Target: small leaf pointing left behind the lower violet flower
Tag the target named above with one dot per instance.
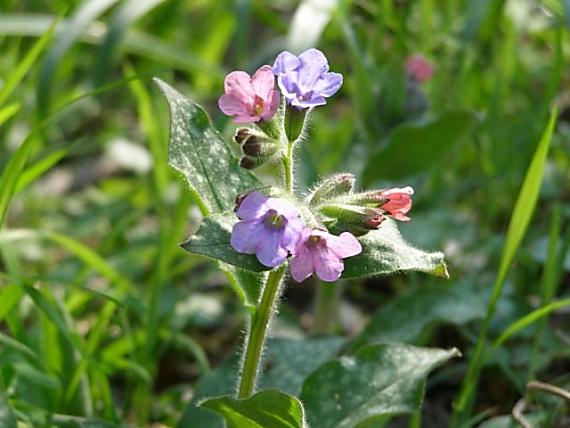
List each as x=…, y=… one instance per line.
x=213, y=240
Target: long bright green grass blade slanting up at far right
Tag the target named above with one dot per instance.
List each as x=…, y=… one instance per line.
x=520, y=218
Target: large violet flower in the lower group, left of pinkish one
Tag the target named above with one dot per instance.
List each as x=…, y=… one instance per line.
x=270, y=228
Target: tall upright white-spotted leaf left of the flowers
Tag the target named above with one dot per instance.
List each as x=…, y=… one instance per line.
x=198, y=151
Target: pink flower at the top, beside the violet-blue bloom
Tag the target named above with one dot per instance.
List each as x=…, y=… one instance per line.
x=250, y=99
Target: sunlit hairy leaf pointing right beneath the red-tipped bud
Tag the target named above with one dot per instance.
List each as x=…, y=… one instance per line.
x=384, y=251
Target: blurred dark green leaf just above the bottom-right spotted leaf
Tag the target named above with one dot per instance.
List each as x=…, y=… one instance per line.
x=405, y=317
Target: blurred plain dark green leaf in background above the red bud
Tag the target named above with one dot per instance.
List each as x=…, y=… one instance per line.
x=413, y=148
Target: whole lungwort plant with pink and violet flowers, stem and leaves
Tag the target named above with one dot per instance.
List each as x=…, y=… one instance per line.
x=261, y=234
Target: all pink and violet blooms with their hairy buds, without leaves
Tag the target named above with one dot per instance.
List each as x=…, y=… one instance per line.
x=272, y=228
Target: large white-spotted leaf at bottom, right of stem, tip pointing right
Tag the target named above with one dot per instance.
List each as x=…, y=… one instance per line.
x=378, y=380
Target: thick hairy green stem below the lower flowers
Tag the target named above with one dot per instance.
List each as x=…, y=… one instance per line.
x=258, y=331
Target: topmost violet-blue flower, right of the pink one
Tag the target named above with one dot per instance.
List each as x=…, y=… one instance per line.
x=304, y=80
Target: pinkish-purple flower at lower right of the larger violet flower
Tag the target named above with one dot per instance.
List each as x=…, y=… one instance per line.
x=322, y=253
